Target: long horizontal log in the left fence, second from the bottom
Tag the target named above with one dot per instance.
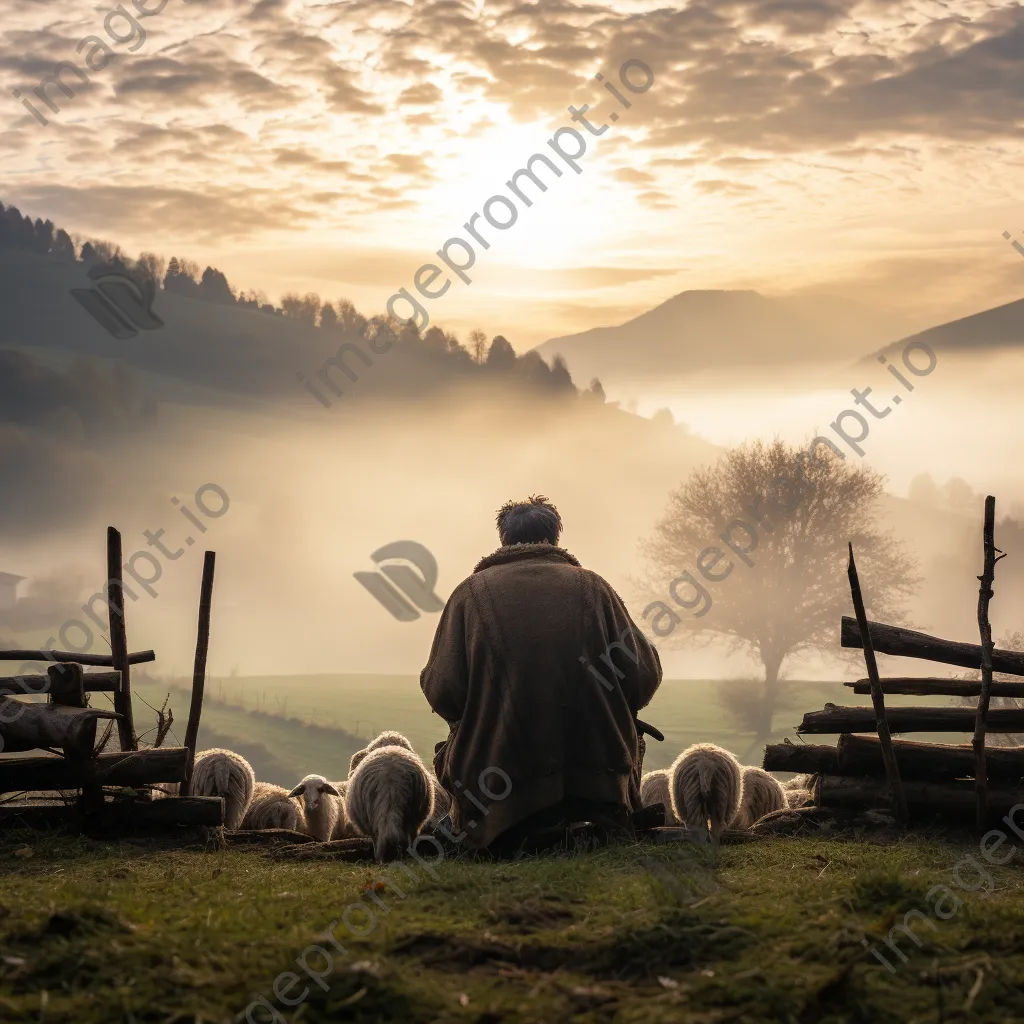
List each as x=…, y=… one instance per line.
x=134, y=769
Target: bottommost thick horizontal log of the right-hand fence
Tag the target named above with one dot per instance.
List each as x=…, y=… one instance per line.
x=953, y=800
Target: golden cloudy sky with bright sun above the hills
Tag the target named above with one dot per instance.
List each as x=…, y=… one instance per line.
x=866, y=150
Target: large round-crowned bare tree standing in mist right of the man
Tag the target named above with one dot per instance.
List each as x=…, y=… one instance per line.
x=753, y=551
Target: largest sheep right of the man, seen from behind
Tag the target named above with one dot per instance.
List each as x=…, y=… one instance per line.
x=707, y=786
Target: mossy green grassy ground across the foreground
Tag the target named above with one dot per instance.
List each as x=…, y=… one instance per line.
x=101, y=932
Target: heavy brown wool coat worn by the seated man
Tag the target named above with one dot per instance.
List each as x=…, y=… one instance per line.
x=507, y=673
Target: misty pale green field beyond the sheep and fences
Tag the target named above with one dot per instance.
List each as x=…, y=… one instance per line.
x=687, y=711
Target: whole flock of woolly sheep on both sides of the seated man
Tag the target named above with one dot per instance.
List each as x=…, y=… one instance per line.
x=391, y=795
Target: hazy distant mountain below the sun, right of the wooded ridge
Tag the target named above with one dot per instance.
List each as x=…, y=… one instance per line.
x=709, y=330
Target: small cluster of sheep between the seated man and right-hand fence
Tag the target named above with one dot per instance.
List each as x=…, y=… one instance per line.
x=708, y=790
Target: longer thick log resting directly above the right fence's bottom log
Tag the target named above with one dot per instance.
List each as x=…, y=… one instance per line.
x=927, y=762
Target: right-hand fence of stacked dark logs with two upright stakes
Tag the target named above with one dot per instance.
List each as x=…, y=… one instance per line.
x=919, y=780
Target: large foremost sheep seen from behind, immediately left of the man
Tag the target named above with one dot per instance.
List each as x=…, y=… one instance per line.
x=390, y=797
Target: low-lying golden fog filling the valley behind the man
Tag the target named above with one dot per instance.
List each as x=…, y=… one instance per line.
x=315, y=492
